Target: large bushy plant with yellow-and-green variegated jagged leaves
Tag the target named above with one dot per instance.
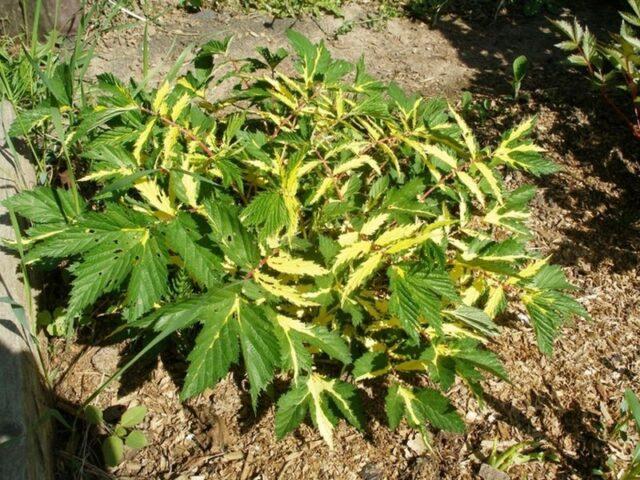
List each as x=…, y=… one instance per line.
x=322, y=226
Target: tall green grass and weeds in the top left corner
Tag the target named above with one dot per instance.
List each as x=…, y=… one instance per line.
x=50, y=75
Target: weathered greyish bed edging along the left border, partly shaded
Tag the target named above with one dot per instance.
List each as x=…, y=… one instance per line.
x=27, y=455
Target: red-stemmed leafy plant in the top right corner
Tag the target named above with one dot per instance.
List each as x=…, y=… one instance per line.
x=612, y=67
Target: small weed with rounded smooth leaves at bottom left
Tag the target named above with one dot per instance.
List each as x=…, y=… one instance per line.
x=121, y=435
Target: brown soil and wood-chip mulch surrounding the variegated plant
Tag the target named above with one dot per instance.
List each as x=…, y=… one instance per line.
x=587, y=217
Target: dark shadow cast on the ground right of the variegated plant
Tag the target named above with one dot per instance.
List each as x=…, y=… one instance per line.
x=602, y=200
